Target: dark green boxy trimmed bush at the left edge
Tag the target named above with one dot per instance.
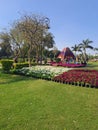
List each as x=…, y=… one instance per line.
x=6, y=64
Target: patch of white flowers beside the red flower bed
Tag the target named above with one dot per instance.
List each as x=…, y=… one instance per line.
x=44, y=72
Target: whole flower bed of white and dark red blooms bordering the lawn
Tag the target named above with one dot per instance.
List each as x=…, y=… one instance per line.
x=76, y=77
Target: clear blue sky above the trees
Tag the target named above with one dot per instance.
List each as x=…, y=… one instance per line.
x=71, y=21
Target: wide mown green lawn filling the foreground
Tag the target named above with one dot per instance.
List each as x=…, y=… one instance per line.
x=34, y=104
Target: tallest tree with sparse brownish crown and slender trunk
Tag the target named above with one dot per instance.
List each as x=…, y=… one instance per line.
x=33, y=28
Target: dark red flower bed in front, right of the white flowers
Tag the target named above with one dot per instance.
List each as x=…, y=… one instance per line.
x=79, y=77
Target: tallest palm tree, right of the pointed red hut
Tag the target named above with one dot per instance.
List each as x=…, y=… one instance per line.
x=84, y=45
